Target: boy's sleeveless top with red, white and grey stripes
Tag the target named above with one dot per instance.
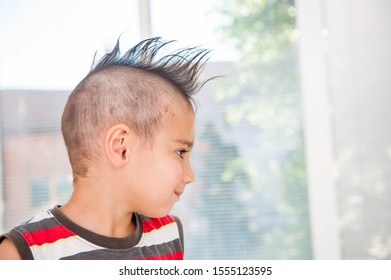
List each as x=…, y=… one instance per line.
x=51, y=235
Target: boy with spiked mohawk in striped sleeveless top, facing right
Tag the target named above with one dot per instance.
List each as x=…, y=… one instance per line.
x=128, y=128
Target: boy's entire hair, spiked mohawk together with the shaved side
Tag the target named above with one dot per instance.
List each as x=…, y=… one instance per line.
x=127, y=89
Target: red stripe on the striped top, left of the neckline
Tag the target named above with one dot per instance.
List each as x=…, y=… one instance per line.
x=47, y=235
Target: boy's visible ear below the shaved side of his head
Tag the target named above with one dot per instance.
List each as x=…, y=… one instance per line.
x=117, y=144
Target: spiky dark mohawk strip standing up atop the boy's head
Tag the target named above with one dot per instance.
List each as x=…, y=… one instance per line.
x=182, y=67
